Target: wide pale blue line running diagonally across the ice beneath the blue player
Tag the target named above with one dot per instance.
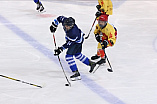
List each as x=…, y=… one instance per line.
x=100, y=91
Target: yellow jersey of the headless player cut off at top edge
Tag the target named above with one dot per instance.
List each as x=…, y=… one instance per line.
x=106, y=6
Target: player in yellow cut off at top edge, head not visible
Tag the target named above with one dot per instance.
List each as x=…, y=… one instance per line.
x=105, y=7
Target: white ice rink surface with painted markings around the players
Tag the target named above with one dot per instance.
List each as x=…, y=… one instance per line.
x=26, y=53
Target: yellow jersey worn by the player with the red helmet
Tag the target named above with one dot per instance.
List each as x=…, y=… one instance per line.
x=108, y=33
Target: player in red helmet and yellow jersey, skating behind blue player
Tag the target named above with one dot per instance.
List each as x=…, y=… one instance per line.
x=106, y=36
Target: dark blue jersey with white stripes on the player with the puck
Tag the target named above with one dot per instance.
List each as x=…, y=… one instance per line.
x=73, y=36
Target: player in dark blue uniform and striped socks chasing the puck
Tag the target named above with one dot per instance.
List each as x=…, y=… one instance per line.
x=74, y=40
